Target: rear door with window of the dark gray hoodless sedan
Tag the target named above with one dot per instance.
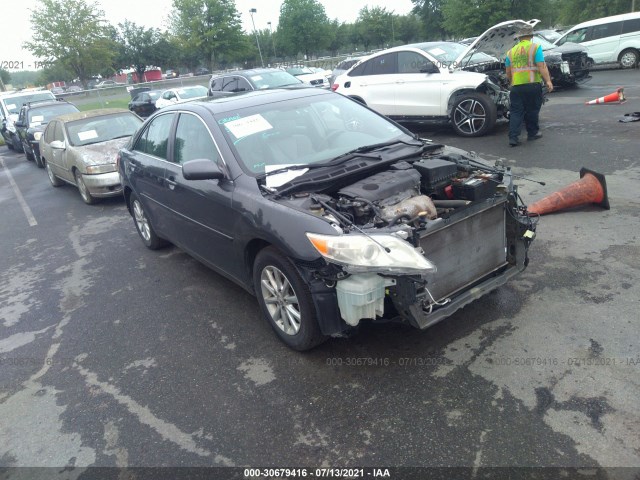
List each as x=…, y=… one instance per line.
x=147, y=162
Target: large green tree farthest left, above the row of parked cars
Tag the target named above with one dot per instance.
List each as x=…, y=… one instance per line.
x=72, y=33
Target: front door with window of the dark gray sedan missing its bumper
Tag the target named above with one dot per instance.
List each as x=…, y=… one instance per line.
x=202, y=218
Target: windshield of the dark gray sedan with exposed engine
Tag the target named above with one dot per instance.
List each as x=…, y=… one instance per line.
x=304, y=131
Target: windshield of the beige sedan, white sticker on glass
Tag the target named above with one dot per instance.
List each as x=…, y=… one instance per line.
x=102, y=129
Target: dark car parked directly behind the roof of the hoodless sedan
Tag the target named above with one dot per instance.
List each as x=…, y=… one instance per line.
x=254, y=79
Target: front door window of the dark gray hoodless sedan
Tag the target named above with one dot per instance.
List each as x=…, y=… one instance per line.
x=193, y=141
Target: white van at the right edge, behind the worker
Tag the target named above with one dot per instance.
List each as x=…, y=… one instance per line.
x=609, y=39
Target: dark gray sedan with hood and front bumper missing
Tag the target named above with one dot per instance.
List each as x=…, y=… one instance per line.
x=325, y=210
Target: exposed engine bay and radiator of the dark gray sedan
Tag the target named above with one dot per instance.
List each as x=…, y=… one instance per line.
x=454, y=210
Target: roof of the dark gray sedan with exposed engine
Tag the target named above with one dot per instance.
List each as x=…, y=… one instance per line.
x=247, y=99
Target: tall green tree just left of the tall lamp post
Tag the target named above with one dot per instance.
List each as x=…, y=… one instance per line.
x=209, y=28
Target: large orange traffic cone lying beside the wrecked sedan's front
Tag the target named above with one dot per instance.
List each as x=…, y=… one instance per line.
x=591, y=188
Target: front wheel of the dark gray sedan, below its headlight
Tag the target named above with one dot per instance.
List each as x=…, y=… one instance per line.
x=285, y=300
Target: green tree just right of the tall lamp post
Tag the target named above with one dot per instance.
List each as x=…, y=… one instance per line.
x=303, y=27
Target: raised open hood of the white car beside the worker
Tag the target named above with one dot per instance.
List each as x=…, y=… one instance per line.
x=495, y=42
